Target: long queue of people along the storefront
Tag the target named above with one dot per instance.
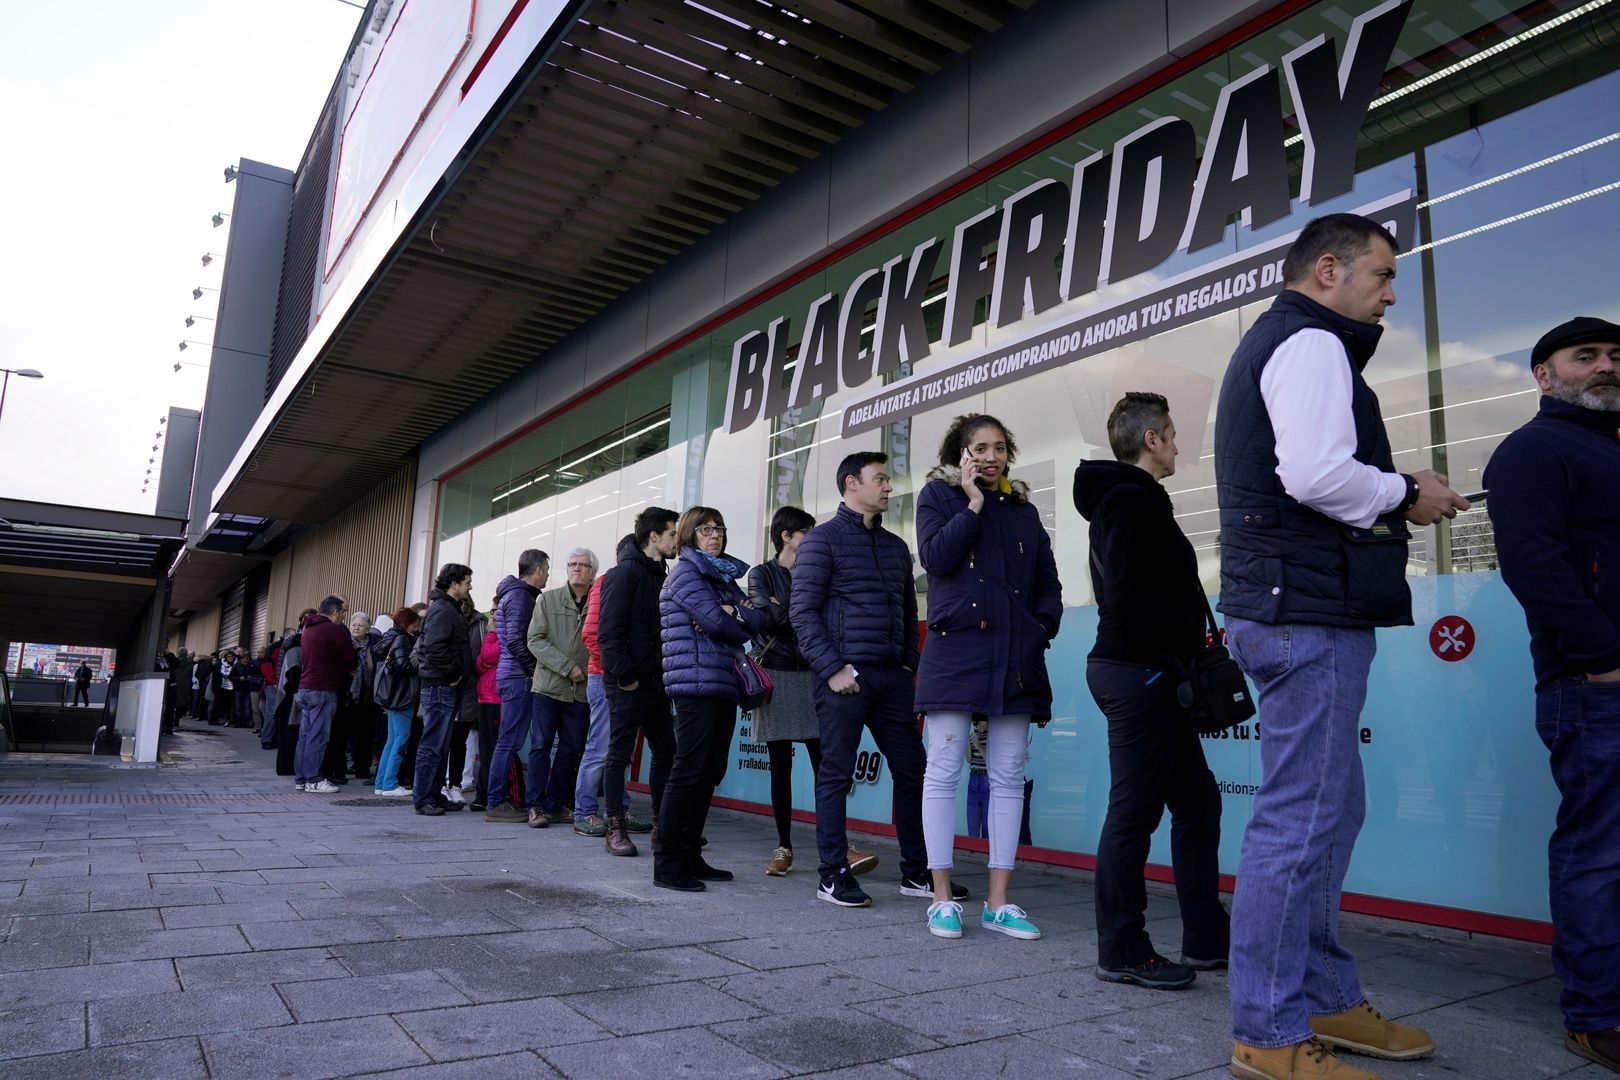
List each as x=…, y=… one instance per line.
x=1315, y=535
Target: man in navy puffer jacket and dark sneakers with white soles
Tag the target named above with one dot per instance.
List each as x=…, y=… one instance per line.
x=855, y=610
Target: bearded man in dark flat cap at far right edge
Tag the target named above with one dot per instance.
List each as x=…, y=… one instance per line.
x=1556, y=509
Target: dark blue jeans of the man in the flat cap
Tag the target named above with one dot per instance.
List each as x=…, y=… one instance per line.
x=1580, y=723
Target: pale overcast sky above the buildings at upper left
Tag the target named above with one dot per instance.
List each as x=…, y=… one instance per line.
x=117, y=122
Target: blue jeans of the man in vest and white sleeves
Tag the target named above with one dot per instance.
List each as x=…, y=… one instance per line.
x=1287, y=961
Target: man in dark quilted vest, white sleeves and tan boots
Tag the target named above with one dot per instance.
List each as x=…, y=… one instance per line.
x=1313, y=559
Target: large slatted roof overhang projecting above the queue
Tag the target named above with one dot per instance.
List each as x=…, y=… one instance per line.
x=675, y=117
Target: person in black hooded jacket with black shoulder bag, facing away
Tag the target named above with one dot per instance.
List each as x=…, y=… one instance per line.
x=1149, y=619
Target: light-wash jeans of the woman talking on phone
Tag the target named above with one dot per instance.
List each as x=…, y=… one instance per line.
x=1007, y=750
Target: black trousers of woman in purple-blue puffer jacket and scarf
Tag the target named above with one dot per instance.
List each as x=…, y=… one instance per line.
x=704, y=731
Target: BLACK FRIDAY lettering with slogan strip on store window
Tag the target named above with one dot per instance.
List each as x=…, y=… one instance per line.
x=1127, y=211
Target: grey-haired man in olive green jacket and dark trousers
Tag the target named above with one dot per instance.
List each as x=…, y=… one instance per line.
x=561, y=713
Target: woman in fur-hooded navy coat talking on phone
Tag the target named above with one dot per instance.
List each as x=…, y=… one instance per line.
x=994, y=610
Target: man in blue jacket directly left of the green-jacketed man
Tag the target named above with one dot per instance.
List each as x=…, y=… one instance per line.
x=514, y=608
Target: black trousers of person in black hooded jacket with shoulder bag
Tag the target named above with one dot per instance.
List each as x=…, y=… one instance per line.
x=1156, y=760
